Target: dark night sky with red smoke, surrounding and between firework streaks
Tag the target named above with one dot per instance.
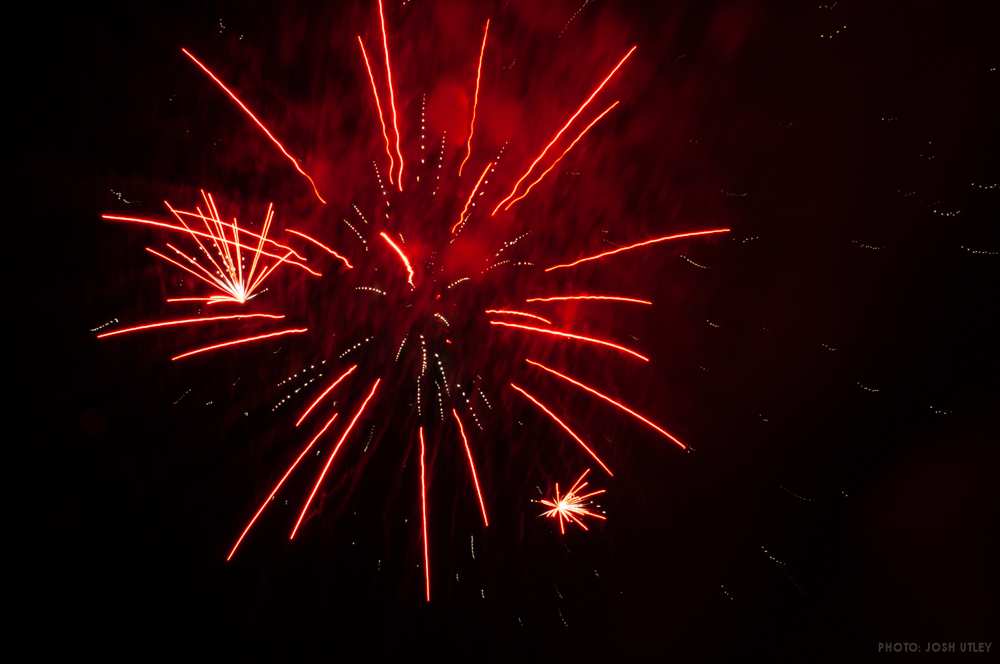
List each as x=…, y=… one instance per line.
x=832, y=360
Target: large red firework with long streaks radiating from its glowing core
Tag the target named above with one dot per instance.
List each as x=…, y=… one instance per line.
x=414, y=291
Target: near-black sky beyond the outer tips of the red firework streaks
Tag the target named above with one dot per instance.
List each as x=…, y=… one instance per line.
x=843, y=378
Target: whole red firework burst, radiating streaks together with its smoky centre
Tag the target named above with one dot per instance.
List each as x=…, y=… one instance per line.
x=427, y=307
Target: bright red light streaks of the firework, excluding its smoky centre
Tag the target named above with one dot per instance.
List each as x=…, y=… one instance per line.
x=233, y=263
